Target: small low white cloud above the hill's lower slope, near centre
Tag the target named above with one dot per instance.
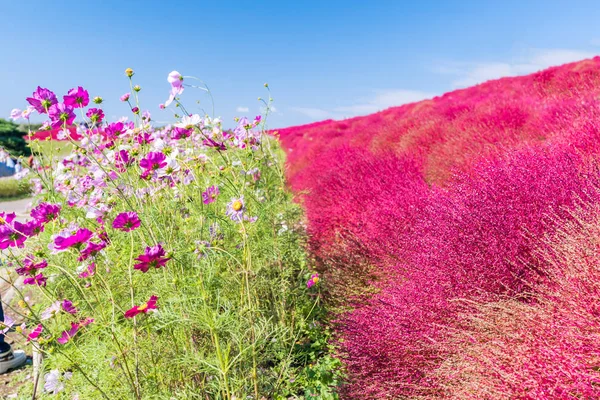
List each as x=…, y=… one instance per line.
x=379, y=101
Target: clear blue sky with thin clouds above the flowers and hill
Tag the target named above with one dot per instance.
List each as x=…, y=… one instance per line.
x=322, y=59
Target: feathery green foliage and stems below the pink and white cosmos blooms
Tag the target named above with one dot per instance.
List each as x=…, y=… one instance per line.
x=237, y=321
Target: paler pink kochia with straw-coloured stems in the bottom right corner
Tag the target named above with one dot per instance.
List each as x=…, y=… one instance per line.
x=547, y=349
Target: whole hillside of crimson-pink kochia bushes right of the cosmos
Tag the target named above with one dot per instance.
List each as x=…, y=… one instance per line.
x=458, y=238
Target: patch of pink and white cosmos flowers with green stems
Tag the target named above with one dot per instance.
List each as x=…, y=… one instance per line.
x=163, y=263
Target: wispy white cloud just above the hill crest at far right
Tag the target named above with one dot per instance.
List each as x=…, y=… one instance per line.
x=533, y=60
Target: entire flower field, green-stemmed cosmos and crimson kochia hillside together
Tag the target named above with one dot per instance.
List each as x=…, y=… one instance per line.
x=445, y=249
